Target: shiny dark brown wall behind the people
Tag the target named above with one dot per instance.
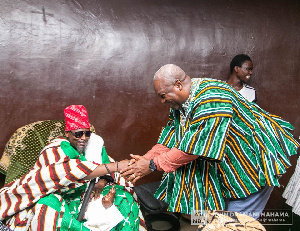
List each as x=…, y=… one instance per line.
x=103, y=54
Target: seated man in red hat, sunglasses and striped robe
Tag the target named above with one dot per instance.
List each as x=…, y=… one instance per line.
x=48, y=197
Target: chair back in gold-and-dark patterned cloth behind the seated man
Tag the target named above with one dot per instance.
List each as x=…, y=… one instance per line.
x=24, y=147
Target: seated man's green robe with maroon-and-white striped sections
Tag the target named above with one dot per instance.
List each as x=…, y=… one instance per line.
x=48, y=196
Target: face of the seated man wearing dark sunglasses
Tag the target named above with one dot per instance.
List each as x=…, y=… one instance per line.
x=77, y=141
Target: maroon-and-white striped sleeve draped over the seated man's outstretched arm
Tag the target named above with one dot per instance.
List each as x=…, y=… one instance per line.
x=54, y=171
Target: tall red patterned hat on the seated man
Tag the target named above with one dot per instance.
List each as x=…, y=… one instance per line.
x=76, y=117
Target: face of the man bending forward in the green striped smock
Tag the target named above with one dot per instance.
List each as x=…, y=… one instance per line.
x=172, y=95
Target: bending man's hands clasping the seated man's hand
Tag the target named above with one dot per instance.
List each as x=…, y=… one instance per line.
x=137, y=169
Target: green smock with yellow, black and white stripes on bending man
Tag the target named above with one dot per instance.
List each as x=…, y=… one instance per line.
x=241, y=148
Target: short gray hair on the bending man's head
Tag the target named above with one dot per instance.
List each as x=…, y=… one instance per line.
x=169, y=73
